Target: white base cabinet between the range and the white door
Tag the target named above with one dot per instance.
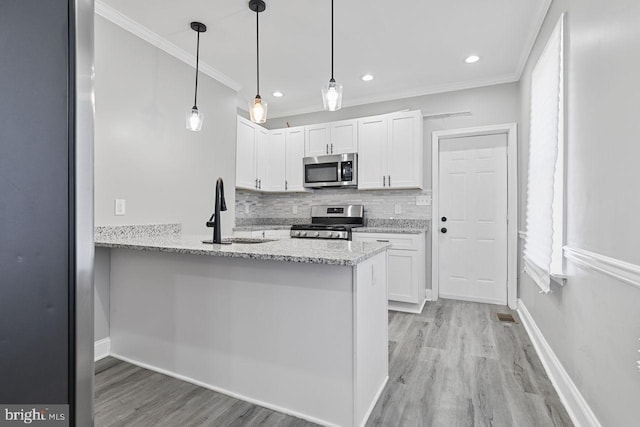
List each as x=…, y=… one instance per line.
x=406, y=268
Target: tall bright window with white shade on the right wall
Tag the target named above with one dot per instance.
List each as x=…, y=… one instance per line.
x=545, y=189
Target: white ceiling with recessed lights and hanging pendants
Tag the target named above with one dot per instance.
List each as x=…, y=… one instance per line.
x=412, y=47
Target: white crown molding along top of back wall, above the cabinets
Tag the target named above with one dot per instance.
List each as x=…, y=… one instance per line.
x=409, y=93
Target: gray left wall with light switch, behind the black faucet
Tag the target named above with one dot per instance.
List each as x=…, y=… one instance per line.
x=143, y=152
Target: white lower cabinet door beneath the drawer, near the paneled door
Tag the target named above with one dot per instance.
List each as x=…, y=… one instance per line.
x=404, y=275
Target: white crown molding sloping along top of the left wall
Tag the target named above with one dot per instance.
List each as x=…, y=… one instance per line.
x=137, y=29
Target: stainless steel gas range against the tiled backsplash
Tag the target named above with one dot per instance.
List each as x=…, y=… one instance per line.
x=330, y=222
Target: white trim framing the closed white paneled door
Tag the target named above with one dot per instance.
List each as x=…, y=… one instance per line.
x=511, y=130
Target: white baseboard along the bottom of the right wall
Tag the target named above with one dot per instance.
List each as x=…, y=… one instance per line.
x=578, y=409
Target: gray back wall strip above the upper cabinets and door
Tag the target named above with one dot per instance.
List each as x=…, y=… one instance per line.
x=488, y=105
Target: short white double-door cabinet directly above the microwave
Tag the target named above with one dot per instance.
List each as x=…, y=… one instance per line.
x=331, y=138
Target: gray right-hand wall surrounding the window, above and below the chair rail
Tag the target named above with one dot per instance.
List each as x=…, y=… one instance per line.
x=593, y=322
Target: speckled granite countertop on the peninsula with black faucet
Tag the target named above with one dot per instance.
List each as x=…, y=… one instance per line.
x=290, y=250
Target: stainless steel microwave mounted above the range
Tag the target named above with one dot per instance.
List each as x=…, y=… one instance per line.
x=339, y=170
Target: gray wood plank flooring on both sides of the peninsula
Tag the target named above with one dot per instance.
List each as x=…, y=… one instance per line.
x=454, y=364
